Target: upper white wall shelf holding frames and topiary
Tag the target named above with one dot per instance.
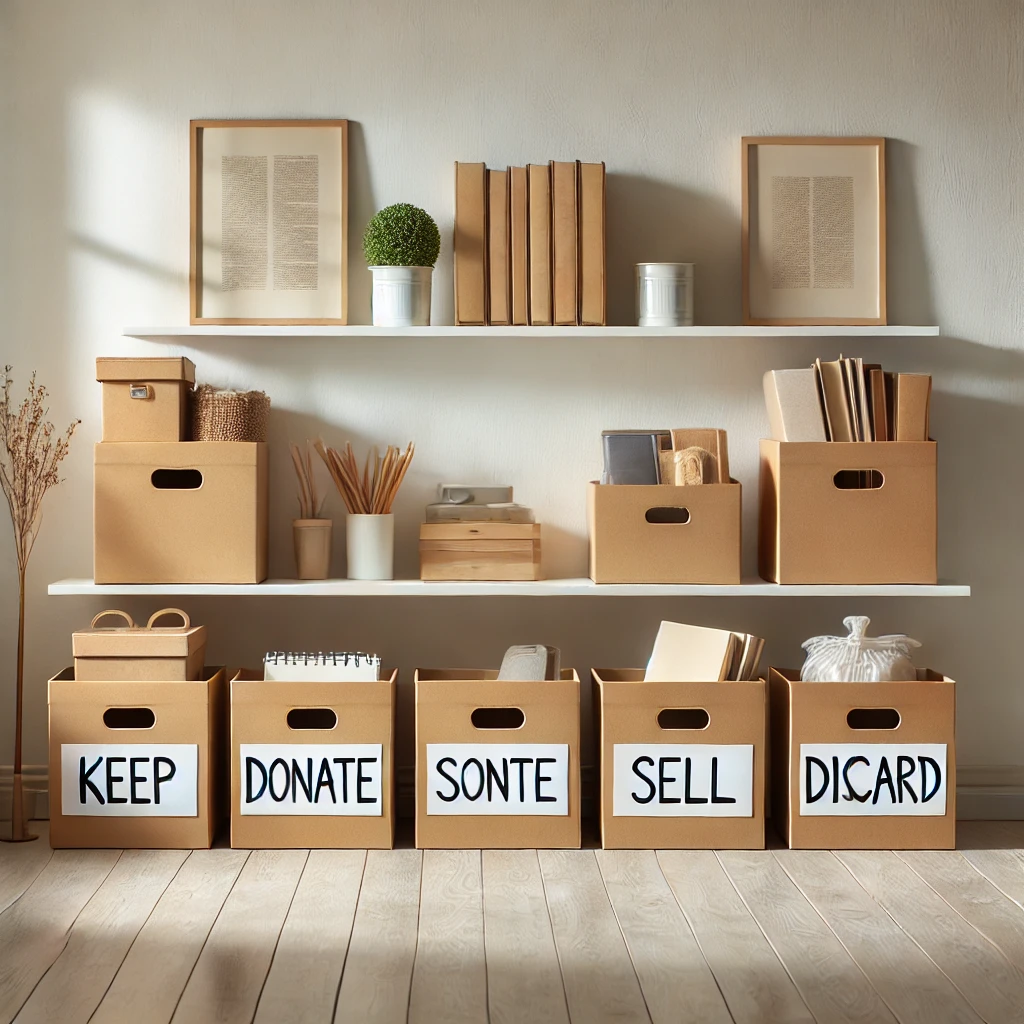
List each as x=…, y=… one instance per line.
x=581, y=333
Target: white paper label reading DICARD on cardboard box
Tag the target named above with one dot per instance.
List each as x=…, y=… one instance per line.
x=870, y=780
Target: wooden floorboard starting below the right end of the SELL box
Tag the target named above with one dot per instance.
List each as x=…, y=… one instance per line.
x=835, y=990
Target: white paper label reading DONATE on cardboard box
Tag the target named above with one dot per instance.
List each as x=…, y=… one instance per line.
x=312, y=779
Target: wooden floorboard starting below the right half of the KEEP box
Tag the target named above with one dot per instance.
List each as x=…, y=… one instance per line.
x=73, y=987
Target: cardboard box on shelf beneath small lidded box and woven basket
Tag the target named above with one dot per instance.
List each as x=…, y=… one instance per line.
x=193, y=513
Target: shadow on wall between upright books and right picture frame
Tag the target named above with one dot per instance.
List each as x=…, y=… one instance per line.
x=652, y=222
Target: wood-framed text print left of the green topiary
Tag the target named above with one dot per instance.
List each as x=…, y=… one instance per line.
x=270, y=223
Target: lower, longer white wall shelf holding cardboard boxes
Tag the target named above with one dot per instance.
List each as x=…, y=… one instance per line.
x=542, y=588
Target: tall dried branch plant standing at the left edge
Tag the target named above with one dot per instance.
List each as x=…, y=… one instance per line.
x=31, y=453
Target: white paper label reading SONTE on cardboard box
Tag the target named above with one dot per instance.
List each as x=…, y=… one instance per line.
x=498, y=779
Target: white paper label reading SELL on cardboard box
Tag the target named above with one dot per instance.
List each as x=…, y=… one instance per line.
x=684, y=781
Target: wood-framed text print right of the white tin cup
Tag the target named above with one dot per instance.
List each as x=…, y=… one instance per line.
x=815, y=232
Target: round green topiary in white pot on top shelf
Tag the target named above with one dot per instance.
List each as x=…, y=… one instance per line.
x=401, y=245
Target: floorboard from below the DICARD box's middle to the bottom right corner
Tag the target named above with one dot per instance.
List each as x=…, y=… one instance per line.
x=990, y=983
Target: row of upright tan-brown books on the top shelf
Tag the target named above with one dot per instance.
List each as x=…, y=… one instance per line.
x=530, y=245
